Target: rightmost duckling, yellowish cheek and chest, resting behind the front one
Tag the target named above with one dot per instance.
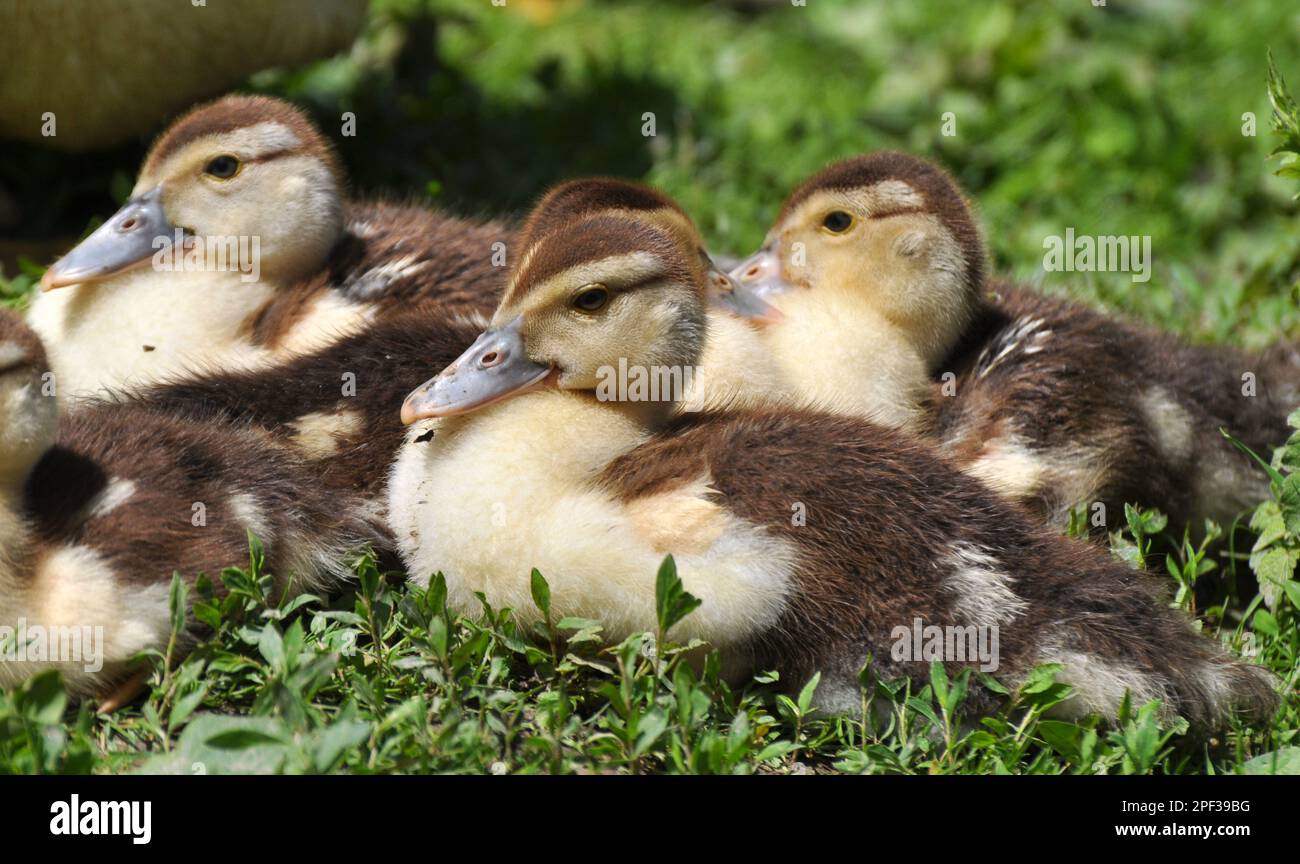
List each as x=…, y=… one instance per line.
x=878, y=260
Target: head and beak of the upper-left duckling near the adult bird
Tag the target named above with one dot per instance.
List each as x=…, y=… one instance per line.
x=246, y=168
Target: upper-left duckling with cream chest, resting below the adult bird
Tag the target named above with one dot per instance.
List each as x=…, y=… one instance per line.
x=239, y=250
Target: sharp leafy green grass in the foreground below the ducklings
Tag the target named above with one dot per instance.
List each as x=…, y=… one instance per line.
x=387, y=680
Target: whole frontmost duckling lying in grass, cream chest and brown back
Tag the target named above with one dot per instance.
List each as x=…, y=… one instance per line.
x=812, y=539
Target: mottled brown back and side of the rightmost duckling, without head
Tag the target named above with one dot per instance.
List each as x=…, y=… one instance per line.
x=1056, y=406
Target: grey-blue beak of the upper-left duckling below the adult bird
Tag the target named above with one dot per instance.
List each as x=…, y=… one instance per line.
x=128, y=240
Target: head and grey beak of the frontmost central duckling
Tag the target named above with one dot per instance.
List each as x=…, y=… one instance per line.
x=590, y=297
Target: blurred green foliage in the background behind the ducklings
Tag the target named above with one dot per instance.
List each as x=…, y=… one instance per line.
x=1126, y=119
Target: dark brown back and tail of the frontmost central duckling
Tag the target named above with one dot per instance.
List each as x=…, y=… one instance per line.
x=886, y=539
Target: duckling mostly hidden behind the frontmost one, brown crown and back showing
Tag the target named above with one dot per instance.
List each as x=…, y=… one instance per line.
x=344, y=407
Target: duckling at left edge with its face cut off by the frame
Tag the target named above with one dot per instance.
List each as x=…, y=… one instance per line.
x=102, y=506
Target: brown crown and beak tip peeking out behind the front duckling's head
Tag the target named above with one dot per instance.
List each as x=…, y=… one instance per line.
x=617, y=197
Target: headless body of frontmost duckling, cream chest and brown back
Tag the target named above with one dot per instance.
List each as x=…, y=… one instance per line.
x=813, y=541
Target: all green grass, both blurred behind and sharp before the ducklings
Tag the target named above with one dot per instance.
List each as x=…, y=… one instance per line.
x=1119, y=120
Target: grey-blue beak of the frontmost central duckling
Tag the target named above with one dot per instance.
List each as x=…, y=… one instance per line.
x=496, y=367
